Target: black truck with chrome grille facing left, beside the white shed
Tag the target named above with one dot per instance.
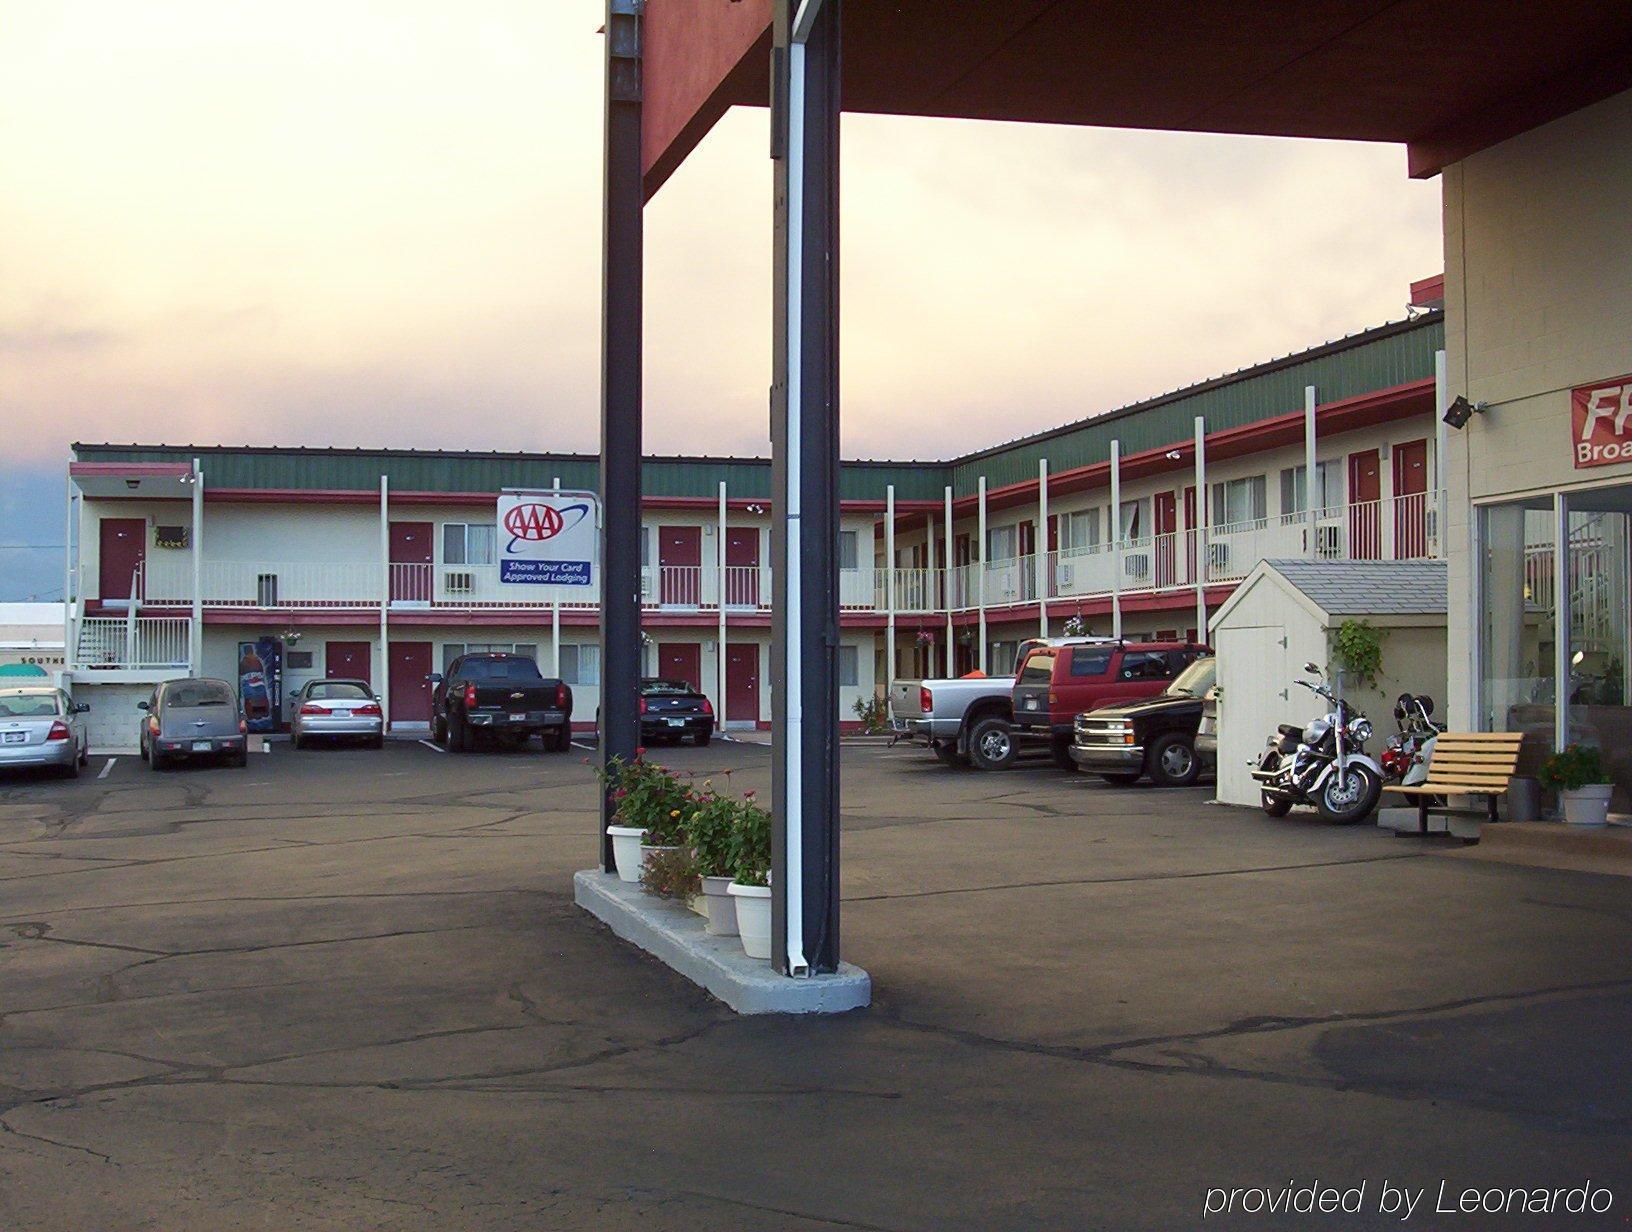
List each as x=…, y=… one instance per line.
x=1151, y=737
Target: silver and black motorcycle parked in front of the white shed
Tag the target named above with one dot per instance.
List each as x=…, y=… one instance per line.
x=1323, y=763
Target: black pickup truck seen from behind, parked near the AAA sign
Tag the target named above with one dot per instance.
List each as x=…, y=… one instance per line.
x=500, y=696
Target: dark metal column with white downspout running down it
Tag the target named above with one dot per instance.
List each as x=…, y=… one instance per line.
x=805, y=489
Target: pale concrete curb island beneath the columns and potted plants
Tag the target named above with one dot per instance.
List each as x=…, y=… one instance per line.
x=717, y=964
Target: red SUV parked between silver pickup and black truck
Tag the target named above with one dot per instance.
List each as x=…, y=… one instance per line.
x=1055, y=685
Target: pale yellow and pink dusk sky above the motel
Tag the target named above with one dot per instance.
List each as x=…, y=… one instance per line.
x=378, y=224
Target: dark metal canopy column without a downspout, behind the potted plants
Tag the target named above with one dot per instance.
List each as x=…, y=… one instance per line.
x=621, y=378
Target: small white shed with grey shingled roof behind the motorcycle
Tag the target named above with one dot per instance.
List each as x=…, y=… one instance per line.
x=1284, y=616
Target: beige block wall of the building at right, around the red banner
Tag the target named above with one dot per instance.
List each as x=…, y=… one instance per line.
x=1538, y=301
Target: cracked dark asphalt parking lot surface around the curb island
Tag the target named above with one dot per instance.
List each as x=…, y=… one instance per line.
x=350, y=990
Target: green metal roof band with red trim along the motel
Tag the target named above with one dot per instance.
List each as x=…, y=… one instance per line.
x=1377, y=360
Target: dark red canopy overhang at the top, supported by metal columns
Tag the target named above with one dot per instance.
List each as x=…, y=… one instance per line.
x=1444, y=78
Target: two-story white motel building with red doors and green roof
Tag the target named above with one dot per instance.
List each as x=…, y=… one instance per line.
x=383, y=564
